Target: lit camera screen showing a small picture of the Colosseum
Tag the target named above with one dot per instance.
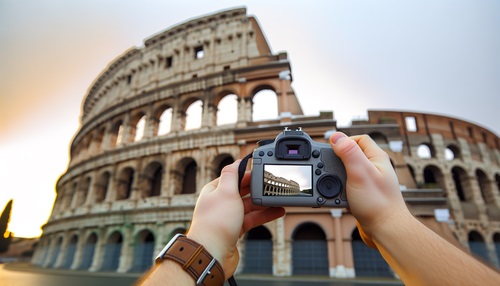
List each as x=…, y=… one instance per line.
x=287, y=180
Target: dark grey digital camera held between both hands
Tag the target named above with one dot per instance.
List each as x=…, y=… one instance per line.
x=294, y=170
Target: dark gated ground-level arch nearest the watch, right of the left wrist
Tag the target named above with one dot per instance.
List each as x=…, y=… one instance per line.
x=258, y=251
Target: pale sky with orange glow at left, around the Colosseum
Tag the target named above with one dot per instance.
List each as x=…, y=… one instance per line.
x=438, y=57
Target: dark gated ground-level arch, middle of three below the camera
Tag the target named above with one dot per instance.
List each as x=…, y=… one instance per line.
x=309, y=250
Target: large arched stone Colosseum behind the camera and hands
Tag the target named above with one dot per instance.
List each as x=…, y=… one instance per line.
x=152, y=134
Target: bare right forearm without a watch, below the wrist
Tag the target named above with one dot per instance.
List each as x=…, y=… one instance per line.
x=421, y=257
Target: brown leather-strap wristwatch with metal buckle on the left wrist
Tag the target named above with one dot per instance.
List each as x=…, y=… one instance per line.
x=194, y=259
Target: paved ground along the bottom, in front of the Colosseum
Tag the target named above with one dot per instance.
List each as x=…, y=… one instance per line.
x=27, y=275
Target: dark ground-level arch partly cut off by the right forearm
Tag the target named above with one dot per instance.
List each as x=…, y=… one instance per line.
x=368, y=262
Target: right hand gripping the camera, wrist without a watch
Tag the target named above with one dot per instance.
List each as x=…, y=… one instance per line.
x=372, y=185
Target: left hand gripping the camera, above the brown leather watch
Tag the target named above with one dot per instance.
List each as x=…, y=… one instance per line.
x=222, y=216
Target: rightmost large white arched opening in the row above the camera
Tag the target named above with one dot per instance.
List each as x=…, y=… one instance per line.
x=265, y=105
